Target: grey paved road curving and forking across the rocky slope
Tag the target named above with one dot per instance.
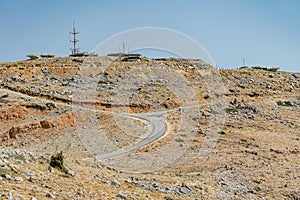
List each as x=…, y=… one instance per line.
x=158, y=124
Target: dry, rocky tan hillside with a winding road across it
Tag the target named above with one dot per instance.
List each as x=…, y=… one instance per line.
x=226, y=134
